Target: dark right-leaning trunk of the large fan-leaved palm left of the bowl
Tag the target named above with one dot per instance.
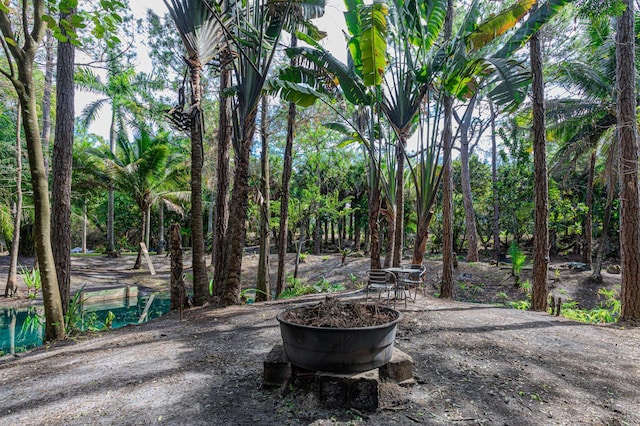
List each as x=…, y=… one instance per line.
x=238, y=214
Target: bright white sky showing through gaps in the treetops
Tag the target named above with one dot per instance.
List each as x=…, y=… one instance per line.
x=332, y=23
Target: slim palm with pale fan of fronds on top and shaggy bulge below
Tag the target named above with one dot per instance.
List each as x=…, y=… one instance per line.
x=203, y=37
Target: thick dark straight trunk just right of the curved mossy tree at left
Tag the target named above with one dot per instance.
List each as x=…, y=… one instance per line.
x=62, y=165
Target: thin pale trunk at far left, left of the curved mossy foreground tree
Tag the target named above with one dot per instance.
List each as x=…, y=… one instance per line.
x=12, y=275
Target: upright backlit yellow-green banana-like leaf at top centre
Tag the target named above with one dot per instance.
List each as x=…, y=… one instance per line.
x=373, y=42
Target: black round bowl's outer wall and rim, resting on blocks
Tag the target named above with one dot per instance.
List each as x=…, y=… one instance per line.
x=338, y=350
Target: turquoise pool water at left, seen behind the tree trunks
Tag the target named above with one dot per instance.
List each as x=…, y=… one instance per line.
x=23, y=329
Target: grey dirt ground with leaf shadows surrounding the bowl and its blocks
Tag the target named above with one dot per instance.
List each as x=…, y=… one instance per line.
x=474, y=364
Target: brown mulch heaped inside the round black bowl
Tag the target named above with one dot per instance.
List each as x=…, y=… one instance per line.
x=333, y=313
